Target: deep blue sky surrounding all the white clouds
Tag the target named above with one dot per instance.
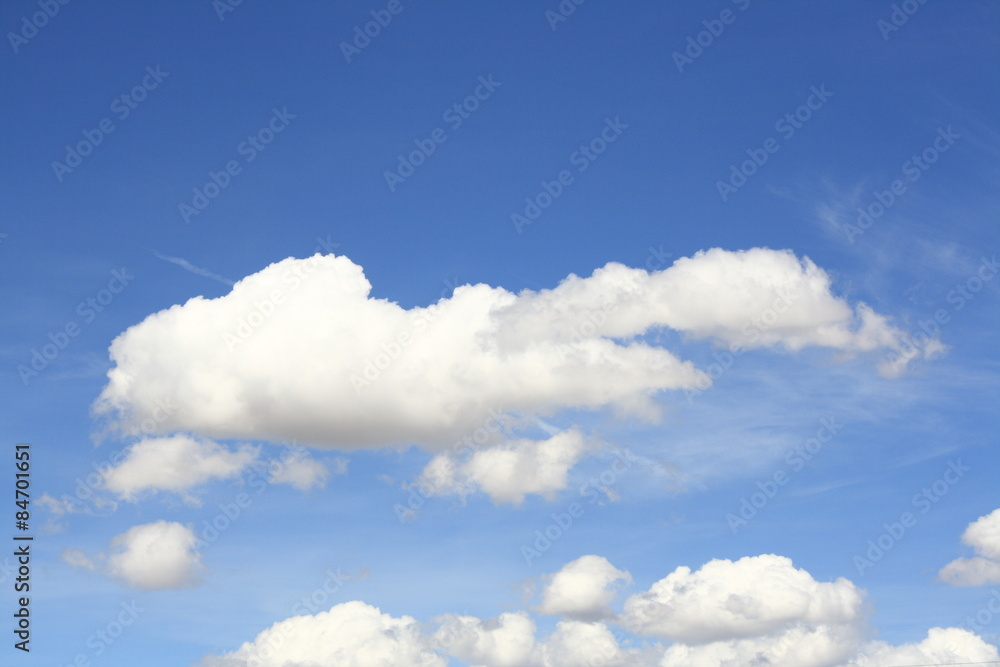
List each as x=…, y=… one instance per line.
x=652, y=193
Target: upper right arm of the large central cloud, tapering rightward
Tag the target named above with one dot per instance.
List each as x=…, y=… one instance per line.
x=756, y=298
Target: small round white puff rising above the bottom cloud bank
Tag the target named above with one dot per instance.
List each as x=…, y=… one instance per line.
x=583, y=589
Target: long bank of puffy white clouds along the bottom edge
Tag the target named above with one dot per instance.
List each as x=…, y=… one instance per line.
x=808, y=624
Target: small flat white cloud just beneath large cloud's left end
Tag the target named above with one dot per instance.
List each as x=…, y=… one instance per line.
x=176, y=463
